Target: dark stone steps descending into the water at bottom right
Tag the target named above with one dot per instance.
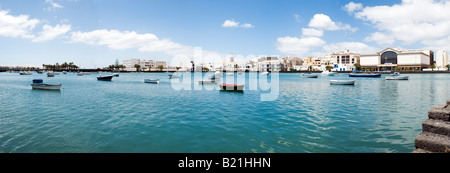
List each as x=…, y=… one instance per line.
x=435, y=136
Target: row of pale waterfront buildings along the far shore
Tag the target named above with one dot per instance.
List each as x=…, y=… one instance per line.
x=389, y=59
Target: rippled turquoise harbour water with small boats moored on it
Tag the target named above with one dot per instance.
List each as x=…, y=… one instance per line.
x=128, y=115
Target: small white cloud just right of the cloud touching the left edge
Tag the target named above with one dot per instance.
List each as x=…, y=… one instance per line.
x=49, y=32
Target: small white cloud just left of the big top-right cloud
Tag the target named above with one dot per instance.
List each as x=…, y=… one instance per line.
x=324, y=22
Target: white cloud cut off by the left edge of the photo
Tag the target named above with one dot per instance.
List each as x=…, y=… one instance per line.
x=16, y=26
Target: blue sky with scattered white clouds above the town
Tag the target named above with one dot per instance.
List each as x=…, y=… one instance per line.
x=94, y=33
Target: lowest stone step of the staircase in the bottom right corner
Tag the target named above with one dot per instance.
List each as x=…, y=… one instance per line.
x=433, y=142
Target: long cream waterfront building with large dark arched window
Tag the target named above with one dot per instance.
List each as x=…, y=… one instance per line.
x=391, y=59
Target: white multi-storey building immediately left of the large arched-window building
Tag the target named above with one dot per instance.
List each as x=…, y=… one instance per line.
x=344, y=60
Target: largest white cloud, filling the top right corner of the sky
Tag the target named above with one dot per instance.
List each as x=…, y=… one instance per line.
x=412, y=21
